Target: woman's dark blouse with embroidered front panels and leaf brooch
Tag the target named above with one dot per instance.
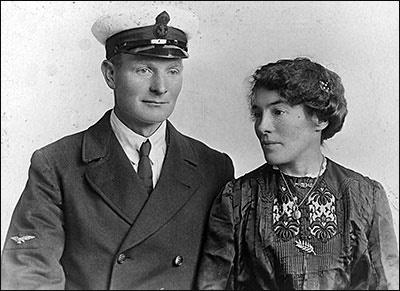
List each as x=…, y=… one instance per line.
x=344, y=238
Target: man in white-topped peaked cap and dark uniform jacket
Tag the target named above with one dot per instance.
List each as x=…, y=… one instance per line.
x=95, y=214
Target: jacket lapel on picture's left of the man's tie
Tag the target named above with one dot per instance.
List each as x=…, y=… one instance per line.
x=110, y=172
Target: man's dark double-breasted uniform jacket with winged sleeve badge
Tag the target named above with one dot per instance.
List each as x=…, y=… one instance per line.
x=84, y=221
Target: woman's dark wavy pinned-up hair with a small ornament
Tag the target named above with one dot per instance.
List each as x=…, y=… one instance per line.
x=302, y=81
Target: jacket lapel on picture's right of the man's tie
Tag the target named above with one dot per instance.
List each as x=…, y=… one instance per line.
x=178, y=181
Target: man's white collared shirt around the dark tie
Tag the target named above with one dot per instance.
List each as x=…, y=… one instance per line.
x=131, y=142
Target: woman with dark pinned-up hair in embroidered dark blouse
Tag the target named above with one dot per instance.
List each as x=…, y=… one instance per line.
x=300, y=221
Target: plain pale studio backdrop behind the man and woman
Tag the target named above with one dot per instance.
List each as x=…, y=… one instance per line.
x=51, y=83
